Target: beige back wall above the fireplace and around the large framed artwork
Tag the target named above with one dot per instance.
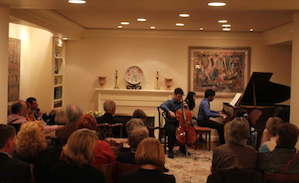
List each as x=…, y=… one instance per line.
x=101, y=52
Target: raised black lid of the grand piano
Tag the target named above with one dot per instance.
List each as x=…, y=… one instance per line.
x=267, y=93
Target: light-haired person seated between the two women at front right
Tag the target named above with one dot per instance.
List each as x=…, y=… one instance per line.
x=271, y=126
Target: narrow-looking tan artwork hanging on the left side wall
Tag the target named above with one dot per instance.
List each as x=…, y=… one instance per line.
x=14, y=56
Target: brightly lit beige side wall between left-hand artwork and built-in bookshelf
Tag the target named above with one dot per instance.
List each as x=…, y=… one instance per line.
x=36, y=63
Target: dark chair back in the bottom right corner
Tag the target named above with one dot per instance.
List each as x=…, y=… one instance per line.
x=280, y=177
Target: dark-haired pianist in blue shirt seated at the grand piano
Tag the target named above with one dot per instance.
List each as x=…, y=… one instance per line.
x=204, y=113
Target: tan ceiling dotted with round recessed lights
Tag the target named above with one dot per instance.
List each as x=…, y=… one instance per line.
x=261, y=15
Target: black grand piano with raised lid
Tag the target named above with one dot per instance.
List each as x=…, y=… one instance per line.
x=260, y=94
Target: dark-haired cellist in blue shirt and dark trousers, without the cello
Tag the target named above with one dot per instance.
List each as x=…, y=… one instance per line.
x=170, y=107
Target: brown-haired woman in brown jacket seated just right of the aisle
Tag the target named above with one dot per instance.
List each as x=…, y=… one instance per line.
x=236, y=154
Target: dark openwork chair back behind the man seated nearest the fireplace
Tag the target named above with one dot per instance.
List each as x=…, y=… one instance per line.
x=105, y=130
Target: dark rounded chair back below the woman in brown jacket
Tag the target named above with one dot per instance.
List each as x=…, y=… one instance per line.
x=235, y=176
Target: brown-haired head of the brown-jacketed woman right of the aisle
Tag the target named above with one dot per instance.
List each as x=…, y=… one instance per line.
x=238, y=131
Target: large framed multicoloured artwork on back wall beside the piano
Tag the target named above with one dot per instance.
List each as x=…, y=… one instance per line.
x=225, y=70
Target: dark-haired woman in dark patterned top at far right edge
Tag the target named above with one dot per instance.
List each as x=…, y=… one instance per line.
x=284, y=152
